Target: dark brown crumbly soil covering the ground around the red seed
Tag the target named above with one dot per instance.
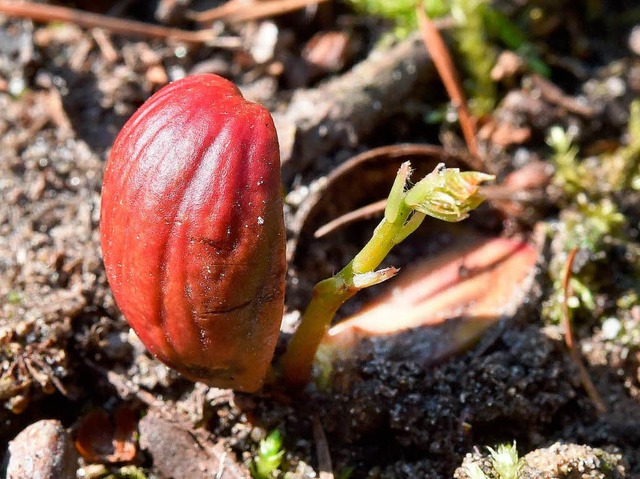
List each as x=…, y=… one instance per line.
x=65, y=349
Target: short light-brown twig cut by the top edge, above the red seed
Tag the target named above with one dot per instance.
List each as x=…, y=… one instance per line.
x=242, y=12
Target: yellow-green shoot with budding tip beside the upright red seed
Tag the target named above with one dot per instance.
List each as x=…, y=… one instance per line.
x=446, y=194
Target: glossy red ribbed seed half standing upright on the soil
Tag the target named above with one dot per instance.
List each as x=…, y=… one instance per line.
x=192, y=231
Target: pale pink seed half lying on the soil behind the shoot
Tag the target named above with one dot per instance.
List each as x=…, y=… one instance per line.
x=443, y=306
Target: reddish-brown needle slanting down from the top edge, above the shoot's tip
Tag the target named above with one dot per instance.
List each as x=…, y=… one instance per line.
x=444, y=64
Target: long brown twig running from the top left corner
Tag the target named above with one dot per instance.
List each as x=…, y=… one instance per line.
x=51, y=13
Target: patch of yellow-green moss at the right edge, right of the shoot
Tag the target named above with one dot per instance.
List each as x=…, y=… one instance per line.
x=592, y=220
